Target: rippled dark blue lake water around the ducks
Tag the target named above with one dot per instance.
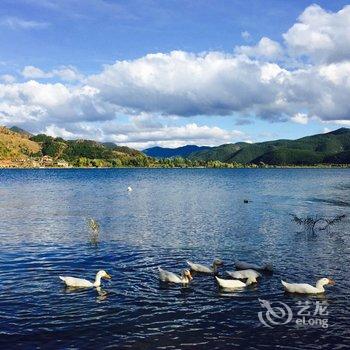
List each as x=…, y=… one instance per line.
x=170, y=216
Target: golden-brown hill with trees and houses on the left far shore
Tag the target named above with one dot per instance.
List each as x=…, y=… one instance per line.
x=20, y=148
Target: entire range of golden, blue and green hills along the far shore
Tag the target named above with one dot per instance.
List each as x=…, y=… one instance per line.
x=20, y=148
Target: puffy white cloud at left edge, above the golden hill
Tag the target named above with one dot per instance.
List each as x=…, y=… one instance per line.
x=47, y=103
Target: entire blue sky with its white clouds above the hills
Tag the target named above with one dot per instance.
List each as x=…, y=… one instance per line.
x=85, y=69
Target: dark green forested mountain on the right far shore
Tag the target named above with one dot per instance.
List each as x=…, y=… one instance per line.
x=326, y=148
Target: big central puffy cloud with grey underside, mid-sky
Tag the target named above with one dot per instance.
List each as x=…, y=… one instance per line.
x=185, y=84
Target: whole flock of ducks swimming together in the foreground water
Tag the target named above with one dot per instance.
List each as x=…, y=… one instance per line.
x=245, y=275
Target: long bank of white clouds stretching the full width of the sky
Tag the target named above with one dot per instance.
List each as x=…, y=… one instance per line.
x=183, y=84
